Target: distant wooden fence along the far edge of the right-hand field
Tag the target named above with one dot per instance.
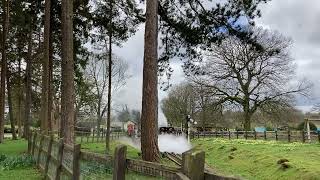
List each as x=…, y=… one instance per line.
x=289, y=136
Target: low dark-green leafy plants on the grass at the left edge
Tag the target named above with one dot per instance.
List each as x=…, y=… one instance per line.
x=9, y=163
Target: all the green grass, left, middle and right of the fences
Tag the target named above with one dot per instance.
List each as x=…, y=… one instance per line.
x=239, y=158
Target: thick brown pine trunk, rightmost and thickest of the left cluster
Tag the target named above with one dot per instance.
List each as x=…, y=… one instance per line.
x=67, y=86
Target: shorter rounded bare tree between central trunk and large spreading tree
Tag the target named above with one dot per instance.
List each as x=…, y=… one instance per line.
x=184, y=99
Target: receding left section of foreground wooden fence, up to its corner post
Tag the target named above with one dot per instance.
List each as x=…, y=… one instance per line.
x=55, y=159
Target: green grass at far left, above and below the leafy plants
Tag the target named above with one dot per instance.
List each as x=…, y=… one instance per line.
x=16, y=148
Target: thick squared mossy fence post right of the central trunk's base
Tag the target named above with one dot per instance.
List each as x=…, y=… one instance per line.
x=193, y=164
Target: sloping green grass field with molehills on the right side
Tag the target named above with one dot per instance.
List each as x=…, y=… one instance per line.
x=258, y=159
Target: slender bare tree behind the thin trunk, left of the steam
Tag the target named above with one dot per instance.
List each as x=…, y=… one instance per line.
x=98, y=72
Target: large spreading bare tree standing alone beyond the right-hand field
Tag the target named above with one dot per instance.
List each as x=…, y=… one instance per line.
x=250, y=75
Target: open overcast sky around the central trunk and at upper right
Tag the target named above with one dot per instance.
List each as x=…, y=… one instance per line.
x=297, y=19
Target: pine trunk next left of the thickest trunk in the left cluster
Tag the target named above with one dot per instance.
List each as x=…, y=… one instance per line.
x=45, y=71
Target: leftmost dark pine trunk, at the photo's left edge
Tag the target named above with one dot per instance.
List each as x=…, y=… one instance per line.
x=5, y=26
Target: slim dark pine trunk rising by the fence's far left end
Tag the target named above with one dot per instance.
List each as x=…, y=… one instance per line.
x=28, y=90
